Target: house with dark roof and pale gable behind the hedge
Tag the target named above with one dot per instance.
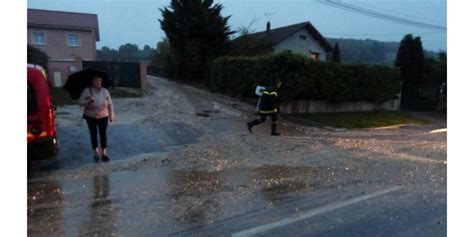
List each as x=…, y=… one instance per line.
x=300, y=38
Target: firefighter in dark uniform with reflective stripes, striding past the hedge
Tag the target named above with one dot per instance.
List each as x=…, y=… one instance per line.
x=268, y=107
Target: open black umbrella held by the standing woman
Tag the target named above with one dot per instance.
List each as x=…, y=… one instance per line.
x=78, y=81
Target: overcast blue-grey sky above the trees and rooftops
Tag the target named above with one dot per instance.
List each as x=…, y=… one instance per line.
x=136, y=22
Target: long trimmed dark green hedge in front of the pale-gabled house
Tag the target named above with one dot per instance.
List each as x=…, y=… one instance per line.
x=304, y=79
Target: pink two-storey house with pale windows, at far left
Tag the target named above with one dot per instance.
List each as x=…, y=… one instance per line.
x=67, y=38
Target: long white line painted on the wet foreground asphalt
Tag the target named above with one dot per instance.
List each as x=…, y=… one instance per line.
x=311, y=213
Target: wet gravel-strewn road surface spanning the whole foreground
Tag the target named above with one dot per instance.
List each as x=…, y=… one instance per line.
x=212, y=178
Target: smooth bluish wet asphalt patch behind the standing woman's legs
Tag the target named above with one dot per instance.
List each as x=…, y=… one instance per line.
x=125, y=140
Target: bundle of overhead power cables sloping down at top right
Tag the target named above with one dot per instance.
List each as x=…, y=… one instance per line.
x=379, y=15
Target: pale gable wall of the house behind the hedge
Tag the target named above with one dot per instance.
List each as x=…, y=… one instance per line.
x=295, y=45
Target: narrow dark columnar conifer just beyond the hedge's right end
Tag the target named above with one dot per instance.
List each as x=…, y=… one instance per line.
x=410, y=61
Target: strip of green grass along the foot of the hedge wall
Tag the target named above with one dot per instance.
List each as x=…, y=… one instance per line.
x=351, y=120
